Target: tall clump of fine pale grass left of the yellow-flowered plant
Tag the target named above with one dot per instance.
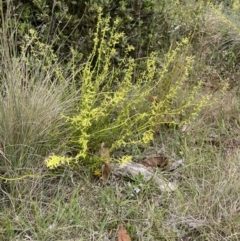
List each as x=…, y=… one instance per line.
x=34, y=95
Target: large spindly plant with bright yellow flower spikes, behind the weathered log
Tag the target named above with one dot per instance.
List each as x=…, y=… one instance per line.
x=114, y=106
